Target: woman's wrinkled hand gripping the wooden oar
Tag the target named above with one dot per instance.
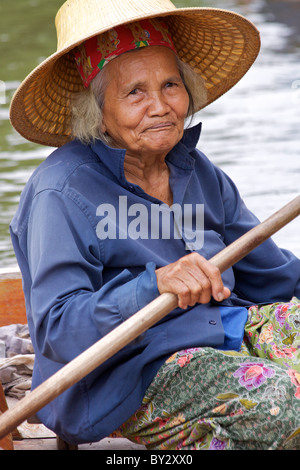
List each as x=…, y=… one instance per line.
x=193, y=279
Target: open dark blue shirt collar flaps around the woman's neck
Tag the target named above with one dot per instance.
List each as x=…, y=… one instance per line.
x=114, y=158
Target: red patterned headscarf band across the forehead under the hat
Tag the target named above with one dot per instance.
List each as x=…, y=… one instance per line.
x=96, y=52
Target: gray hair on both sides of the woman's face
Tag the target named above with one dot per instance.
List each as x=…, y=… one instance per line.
x=86, y=109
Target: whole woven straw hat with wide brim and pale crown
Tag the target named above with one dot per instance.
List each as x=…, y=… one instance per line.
x=220, y=45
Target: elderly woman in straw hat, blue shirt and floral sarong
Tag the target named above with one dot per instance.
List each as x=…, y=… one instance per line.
x=126, y=209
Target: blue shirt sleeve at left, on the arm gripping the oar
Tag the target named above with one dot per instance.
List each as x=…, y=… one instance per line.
x=68, y=294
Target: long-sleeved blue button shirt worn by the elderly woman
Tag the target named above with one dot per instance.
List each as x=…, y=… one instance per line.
x=80, y=285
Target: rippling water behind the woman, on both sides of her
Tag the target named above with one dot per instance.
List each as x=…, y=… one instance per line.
x=252, y=132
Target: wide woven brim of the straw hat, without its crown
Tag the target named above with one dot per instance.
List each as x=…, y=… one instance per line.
x=218, y=44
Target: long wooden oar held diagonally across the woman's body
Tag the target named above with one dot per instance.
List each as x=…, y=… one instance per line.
x=113, y=342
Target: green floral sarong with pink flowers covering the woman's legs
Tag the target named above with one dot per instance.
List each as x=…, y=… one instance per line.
x=205, y=399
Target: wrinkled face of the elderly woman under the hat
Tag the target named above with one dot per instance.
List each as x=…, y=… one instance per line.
x=145, y=102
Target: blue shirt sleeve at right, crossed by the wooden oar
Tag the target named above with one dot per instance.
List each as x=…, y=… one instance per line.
x=266, y=274
